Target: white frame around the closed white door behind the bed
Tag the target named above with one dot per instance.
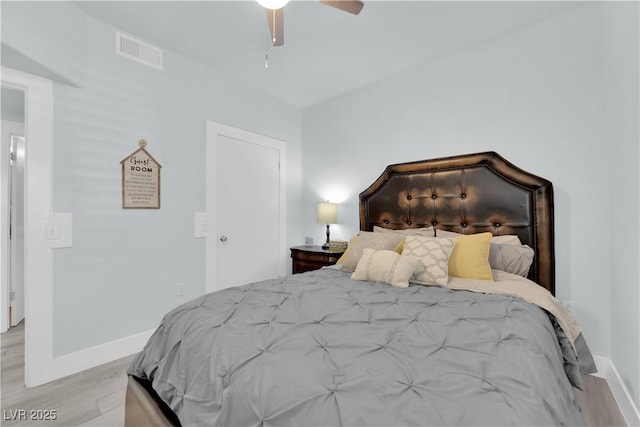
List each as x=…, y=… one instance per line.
x=213, y=129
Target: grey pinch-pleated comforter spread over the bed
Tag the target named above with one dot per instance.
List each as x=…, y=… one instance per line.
x=319, y=349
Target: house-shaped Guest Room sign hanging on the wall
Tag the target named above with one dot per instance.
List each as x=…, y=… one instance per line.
x=140, y=180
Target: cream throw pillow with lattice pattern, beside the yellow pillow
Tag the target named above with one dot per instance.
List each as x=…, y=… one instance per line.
x=433, y=253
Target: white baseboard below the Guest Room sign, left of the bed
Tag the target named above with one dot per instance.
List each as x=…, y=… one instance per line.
x=72, y=363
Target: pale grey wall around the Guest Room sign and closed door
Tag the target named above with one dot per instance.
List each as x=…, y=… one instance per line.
x=120, y=276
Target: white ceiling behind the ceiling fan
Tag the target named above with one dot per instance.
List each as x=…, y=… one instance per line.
x=326, y=52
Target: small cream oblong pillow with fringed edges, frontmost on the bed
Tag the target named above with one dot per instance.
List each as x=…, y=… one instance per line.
x=385, y=266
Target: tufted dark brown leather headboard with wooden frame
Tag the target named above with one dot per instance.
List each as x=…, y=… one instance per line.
x=467, y=194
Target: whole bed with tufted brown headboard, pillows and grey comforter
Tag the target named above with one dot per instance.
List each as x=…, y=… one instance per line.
x=322, y=348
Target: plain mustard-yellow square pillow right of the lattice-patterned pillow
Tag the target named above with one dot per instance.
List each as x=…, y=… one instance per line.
x=470, y=257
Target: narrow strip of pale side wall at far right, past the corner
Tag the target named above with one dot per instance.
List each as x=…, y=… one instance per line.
x=623, y=136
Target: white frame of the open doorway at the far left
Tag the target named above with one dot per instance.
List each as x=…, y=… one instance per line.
x=38, y=274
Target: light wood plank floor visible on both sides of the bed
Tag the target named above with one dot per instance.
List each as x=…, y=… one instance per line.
x=96, y=397
